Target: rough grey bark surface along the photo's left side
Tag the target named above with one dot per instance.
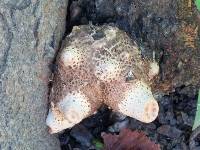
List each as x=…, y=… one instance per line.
x=30, y=32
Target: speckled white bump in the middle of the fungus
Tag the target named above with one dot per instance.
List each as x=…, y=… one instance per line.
x=107, y=70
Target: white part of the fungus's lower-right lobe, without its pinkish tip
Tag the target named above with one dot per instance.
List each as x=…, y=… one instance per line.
x=134, y=101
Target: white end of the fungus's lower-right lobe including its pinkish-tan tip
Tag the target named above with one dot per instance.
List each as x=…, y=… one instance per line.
x=139, y=103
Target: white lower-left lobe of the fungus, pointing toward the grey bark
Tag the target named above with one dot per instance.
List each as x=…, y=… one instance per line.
x=74, y=107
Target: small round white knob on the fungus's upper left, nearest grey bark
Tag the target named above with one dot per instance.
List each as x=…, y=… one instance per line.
x=71, y=56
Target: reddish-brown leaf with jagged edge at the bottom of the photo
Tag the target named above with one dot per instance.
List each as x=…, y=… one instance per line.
x=128, y=140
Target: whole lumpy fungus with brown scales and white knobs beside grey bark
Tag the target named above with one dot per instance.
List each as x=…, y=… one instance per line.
x=100, y=65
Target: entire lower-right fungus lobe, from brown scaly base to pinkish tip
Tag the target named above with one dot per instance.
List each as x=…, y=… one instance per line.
x=133, y=99
